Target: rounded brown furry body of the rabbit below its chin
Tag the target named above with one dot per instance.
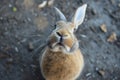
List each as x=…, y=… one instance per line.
x=61, y=66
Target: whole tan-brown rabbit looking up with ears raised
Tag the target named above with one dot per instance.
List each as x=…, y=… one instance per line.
x=62, y=58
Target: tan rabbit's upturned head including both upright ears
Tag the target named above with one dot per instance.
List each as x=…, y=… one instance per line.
x=62, y=39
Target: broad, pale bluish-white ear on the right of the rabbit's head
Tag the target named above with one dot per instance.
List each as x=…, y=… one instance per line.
x=79, y=15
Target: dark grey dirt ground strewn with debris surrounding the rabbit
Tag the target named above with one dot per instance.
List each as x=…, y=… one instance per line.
x=24, y=27
